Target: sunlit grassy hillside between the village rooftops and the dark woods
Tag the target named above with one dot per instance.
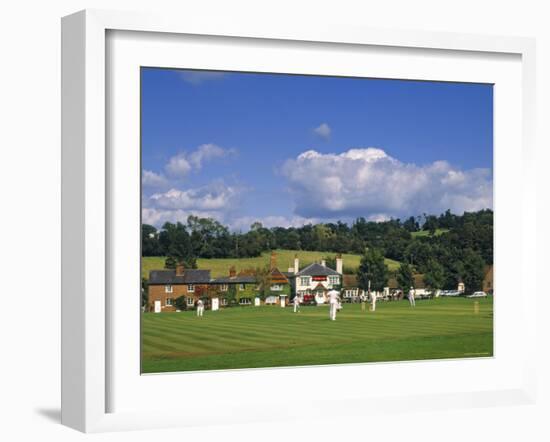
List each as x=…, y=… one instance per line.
x=285, y=259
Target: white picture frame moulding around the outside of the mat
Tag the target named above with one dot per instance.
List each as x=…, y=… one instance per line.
x=87, y=219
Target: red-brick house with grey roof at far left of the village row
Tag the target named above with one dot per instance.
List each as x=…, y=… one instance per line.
x=165, y=286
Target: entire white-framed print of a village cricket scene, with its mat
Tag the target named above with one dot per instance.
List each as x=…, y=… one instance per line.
x=250, y=209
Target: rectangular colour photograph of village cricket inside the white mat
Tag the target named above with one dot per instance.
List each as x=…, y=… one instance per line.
x=302, y=220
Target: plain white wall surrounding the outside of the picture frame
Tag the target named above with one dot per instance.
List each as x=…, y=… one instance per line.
x=30, y=221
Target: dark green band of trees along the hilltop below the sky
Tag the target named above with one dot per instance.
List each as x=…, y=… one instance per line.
x=451, y=247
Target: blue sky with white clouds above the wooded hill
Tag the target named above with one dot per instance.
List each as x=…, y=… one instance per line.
x=288, y=149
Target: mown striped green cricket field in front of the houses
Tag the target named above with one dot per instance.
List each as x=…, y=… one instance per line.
x=247, y=337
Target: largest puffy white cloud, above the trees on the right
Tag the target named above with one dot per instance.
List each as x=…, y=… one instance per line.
x=368, y=182
